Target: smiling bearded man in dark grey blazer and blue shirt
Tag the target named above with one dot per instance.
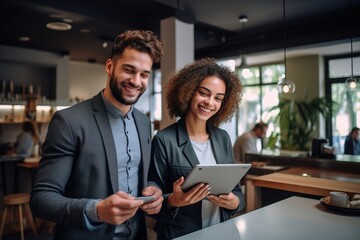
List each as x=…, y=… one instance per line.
x=96, y=153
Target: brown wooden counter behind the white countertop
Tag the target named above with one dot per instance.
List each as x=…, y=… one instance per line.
x=276, y=177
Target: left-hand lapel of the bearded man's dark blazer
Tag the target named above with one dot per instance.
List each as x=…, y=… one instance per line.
x=102, y=120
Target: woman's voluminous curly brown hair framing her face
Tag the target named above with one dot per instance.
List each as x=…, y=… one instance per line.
x=181, y=89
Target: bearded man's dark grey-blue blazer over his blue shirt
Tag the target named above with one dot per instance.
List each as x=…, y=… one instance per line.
x=79, y=163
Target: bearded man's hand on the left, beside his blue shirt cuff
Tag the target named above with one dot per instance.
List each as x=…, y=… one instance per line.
x=117, y=208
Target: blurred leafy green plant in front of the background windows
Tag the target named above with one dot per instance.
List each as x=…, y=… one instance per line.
x=298, y=119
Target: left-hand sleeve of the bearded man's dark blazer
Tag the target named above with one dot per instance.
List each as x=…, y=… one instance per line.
x=47, y=199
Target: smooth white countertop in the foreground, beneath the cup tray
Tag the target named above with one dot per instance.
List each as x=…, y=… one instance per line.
x=294, y=218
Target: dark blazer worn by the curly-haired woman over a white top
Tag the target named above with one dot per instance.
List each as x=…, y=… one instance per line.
x=172, y=157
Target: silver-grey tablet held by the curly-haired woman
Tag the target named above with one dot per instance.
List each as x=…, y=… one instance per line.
x=222, y=178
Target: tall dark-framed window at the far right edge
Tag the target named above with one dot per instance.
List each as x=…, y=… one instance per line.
x=347, y=113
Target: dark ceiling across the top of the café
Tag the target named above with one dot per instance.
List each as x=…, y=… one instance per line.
x=218, y=33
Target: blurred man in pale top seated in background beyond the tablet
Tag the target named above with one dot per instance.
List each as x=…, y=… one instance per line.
x=247, y=142
